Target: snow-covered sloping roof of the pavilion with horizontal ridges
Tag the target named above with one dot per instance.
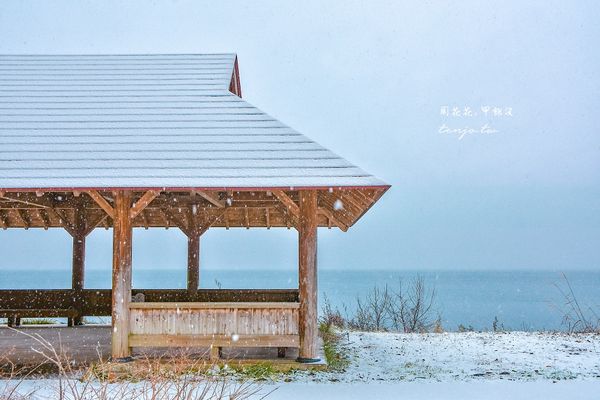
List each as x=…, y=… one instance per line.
x=149, y=121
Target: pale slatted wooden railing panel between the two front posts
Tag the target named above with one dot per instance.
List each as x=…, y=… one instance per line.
x=220, y=324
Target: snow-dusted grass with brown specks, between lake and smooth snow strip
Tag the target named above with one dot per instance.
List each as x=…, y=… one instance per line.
x=393, y=357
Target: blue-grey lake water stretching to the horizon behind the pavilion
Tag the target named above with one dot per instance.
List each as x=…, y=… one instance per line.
x=520, y=299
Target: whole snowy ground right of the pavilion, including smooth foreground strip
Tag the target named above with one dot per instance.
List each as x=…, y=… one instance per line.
x=493, y=366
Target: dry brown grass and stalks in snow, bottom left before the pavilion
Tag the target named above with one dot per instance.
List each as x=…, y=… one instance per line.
x=177, y=375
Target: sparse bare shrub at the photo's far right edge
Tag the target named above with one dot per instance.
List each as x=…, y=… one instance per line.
x=575, y=318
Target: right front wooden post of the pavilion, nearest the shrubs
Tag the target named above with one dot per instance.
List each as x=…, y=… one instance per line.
x=307, y=274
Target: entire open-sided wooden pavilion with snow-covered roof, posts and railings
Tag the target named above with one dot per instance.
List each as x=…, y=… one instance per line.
x=144, y=141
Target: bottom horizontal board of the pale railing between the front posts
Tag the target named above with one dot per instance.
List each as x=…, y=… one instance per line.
x=214, y=340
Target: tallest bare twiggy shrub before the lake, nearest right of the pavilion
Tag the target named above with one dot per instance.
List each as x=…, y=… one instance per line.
x=411, y=310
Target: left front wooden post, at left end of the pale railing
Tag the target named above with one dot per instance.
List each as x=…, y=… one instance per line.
x=121, y=283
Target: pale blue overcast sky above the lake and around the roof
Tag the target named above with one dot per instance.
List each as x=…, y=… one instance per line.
x=370, y=81
